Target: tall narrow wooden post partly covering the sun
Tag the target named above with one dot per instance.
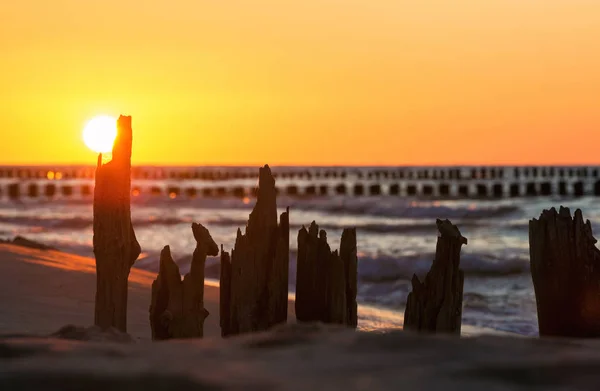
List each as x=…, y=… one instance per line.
x=115, y=245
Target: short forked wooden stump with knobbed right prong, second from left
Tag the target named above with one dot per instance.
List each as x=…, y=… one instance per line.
x=177, y=307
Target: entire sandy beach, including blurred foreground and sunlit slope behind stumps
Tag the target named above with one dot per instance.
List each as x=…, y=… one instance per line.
x=43, y=290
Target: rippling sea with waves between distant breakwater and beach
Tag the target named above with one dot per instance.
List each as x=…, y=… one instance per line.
x=396, y=237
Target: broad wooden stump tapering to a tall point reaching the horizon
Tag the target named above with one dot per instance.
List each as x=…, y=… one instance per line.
x=254, y=280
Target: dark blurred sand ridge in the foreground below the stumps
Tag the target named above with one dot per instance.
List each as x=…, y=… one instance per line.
x=303, y=357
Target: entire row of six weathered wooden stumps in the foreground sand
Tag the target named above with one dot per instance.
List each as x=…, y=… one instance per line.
x=565, y=267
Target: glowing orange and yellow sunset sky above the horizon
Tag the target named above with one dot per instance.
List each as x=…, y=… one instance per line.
x=315, y=82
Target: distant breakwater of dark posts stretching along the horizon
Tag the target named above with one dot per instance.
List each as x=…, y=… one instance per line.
x=422, y=182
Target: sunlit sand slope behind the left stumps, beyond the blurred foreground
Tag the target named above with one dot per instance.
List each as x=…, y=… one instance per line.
x=43, y=290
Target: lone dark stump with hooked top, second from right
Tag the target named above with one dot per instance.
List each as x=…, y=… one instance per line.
x=435, y=305
